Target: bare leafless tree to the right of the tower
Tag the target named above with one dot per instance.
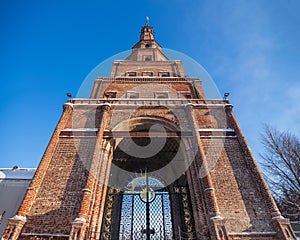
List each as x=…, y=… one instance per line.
x=281, y=166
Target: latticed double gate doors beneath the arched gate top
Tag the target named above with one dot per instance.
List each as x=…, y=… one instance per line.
x=135, y=216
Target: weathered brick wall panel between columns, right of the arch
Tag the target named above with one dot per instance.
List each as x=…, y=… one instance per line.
x=236, y=190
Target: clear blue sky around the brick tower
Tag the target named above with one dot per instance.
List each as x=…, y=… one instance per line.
x=47, y=48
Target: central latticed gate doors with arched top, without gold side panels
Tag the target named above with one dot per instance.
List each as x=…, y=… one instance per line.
x=146, y=211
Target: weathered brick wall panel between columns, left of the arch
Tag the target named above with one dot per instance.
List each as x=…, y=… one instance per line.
x=58, y=199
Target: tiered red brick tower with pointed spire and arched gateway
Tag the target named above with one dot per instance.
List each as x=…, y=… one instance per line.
x=147, y=156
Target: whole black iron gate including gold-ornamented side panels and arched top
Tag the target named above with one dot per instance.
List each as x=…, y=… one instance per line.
x=147, y=211
